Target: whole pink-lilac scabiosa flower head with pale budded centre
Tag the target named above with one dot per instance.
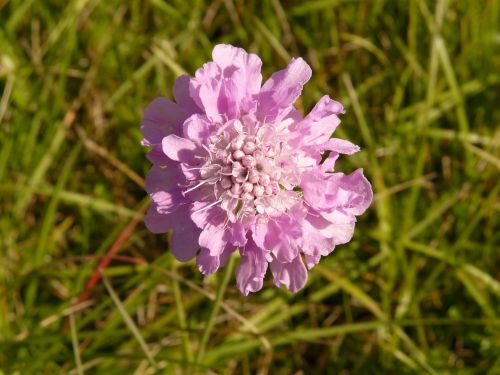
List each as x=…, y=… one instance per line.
x=237, y=167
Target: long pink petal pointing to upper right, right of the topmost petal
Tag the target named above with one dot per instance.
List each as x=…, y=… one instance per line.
x=283, y=88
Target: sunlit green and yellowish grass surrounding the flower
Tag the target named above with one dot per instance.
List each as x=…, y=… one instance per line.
x=416, y=291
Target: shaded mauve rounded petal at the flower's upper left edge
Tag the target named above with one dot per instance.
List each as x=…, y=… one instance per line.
x=161, y=117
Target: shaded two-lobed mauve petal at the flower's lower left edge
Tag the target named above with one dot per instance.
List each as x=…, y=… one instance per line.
x=184, y=237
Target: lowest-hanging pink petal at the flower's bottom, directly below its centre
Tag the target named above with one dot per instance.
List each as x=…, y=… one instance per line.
x=252, y=268
